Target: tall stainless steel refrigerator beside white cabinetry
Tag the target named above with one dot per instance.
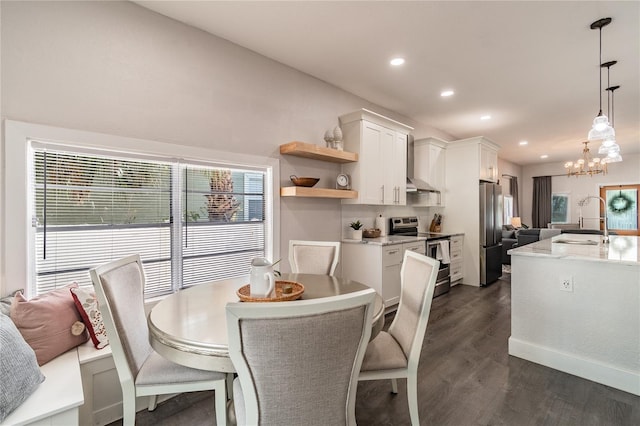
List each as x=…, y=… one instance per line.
x=490, y=232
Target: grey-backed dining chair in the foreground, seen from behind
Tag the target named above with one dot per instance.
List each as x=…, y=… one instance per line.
x=298, y=362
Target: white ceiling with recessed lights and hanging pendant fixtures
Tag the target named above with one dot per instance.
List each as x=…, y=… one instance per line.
x=531, y=65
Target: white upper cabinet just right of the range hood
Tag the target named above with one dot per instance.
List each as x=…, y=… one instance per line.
x=430, y=166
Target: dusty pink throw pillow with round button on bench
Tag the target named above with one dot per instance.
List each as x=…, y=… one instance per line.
x=49, y=323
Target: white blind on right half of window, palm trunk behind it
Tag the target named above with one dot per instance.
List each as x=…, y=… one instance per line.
x=222, y=224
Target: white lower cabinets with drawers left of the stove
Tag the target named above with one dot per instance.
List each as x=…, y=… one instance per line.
x=378, y=267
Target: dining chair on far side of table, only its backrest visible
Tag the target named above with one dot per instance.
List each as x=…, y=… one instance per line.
x=314, y=257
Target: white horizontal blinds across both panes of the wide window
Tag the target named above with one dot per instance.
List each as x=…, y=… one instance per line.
x=190, y=224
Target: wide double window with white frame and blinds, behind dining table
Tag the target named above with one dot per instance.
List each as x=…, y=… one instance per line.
x=90, y=199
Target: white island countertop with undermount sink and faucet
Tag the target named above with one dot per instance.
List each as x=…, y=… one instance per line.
x=621, y=249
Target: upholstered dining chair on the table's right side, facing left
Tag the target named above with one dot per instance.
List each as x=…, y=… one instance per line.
x=396, y=354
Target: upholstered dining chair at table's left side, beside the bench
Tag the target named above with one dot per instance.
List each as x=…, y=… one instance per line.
x=119, y=287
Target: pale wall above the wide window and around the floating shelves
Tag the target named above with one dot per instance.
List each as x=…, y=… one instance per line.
x=117, y=68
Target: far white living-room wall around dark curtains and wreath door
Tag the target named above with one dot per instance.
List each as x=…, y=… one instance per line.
x=626, y=172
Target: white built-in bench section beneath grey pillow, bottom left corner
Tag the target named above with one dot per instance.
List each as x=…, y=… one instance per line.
x=57, y=400
